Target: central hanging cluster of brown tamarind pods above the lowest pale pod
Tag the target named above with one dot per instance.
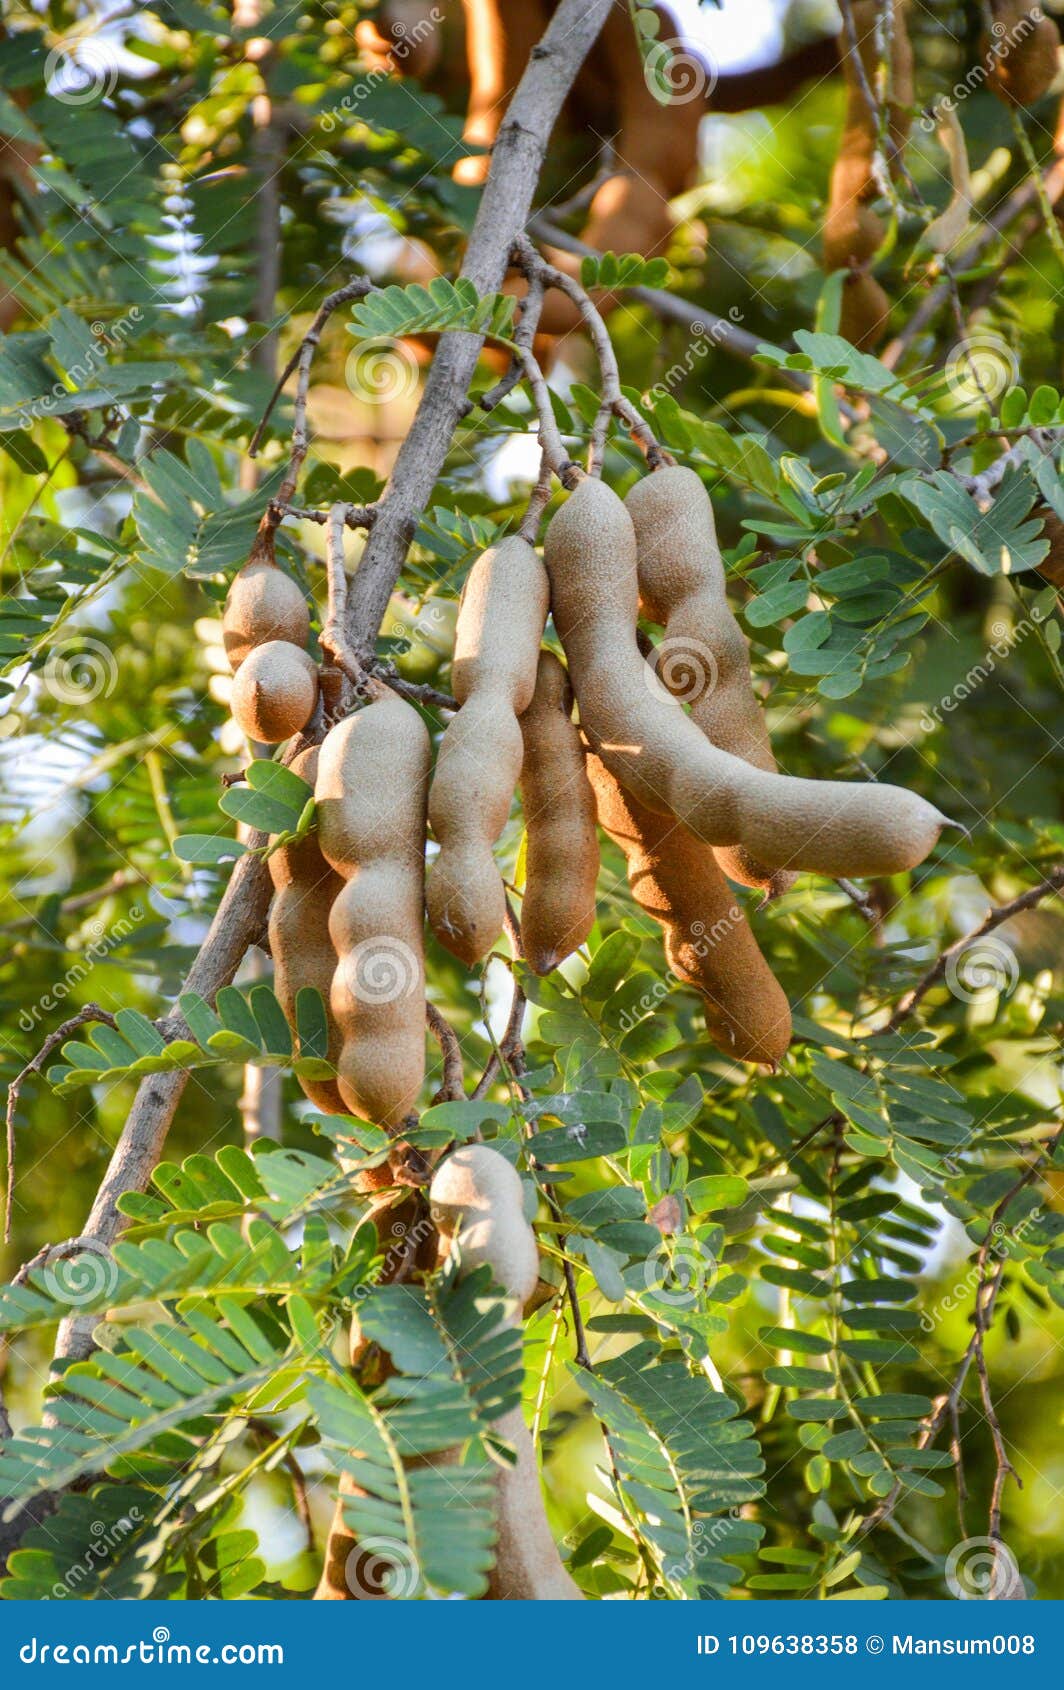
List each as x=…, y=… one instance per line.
x=693, y=799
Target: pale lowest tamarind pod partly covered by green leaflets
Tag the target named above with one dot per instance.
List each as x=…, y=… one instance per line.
x=477, y=1202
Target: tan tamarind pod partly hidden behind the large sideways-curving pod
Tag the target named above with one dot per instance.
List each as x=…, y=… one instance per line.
x=705, y=658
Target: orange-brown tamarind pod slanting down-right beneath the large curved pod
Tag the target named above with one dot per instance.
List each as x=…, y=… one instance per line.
x=708, y=940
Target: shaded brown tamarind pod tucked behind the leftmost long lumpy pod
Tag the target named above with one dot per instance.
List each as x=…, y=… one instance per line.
x=305, y=890
